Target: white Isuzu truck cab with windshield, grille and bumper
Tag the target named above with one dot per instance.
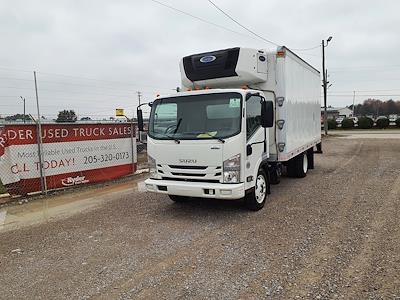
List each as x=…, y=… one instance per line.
x=198, y=143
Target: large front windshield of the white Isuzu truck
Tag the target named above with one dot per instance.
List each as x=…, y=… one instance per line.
x=206, y=116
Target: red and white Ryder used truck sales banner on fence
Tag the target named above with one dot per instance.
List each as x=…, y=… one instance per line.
x=72, y=154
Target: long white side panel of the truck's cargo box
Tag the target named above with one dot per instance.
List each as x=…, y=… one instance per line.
x=301, y=108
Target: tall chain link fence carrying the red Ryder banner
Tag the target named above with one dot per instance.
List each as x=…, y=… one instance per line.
x=61, y=131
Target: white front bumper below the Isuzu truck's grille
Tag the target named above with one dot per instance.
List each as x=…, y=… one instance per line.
x=196, y=189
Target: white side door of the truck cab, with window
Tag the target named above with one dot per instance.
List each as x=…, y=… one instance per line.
x=255, y=136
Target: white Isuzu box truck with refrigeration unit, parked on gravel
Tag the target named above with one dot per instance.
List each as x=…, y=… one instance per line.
x=242, y=117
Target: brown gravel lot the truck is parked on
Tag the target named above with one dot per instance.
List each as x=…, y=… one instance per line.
x=333, y=234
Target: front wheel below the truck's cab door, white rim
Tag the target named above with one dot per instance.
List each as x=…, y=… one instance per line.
x=257, y=196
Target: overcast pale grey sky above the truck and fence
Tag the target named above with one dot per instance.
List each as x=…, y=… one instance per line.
x=93, y=56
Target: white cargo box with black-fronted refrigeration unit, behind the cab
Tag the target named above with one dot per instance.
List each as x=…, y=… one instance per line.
x=284, y=78
